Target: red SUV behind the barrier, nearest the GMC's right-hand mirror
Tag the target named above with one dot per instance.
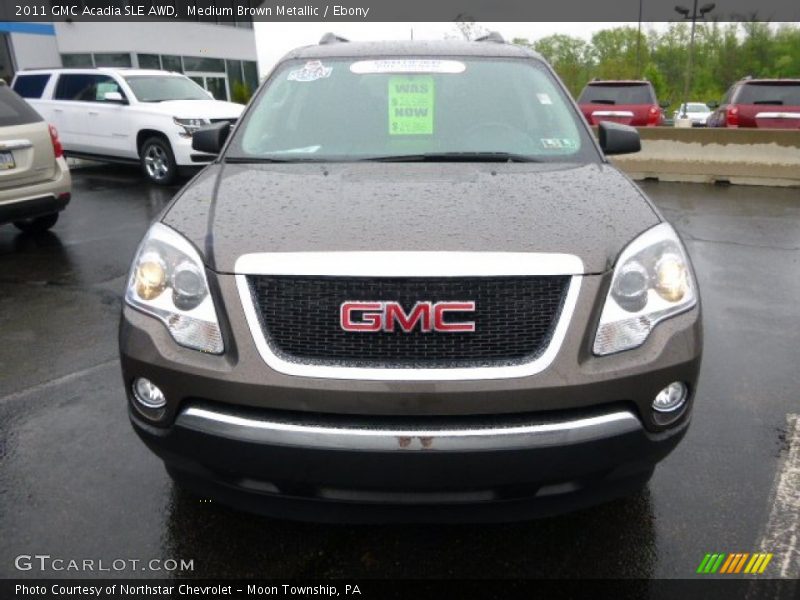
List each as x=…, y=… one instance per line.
x=631, y=102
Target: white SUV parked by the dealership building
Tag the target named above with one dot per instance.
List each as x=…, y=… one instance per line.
x=126, y=115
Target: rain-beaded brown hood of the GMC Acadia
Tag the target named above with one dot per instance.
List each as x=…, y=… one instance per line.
x=591, y=211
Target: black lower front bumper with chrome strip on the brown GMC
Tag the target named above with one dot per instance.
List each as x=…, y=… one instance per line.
x=361, y=470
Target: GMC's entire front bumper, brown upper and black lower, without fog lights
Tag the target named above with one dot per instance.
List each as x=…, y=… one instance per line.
x=297, y=446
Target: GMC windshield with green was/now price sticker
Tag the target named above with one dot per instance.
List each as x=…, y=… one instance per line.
x=412, y=109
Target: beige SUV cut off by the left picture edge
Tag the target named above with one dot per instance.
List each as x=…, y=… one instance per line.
x=34, y=178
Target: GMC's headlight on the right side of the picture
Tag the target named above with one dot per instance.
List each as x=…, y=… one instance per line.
x=652, y=280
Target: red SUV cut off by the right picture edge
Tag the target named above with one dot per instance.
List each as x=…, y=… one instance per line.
x=763, y=103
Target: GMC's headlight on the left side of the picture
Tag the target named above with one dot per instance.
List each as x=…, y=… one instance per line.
x=168, y=281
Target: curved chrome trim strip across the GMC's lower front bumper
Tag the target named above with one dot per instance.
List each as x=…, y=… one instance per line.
x=327, y=437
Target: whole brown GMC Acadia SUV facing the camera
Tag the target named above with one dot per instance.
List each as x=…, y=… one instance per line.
x=411, y=287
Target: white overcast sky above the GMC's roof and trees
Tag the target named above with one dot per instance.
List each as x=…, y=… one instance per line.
x=273, y=40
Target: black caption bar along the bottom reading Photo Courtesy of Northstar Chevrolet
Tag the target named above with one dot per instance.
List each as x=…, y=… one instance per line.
x=364, y=589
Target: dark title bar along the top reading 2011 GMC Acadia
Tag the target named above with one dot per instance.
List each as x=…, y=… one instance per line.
x=390, y=10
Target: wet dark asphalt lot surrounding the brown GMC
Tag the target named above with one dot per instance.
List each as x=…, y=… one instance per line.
x=75, y=482
